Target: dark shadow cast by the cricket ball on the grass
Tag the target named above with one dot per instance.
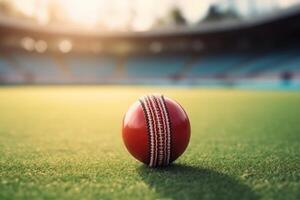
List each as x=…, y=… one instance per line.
x=185, y=182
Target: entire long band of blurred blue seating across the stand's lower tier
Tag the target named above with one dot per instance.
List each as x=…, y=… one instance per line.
x=217, y=68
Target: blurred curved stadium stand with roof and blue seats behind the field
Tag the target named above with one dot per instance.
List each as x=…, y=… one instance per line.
x=259, y=52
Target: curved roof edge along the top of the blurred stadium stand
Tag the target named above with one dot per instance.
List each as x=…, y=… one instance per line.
x=8, y=24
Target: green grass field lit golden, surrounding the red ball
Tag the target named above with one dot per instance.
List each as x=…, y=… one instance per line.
x=65, y=143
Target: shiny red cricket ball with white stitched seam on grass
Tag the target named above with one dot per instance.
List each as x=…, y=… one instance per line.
x=156, y=130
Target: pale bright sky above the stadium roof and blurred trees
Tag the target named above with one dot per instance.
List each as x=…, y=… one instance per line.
x=139, y=15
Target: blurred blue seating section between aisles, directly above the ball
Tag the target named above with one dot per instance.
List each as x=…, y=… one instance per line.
x=160, y=66
